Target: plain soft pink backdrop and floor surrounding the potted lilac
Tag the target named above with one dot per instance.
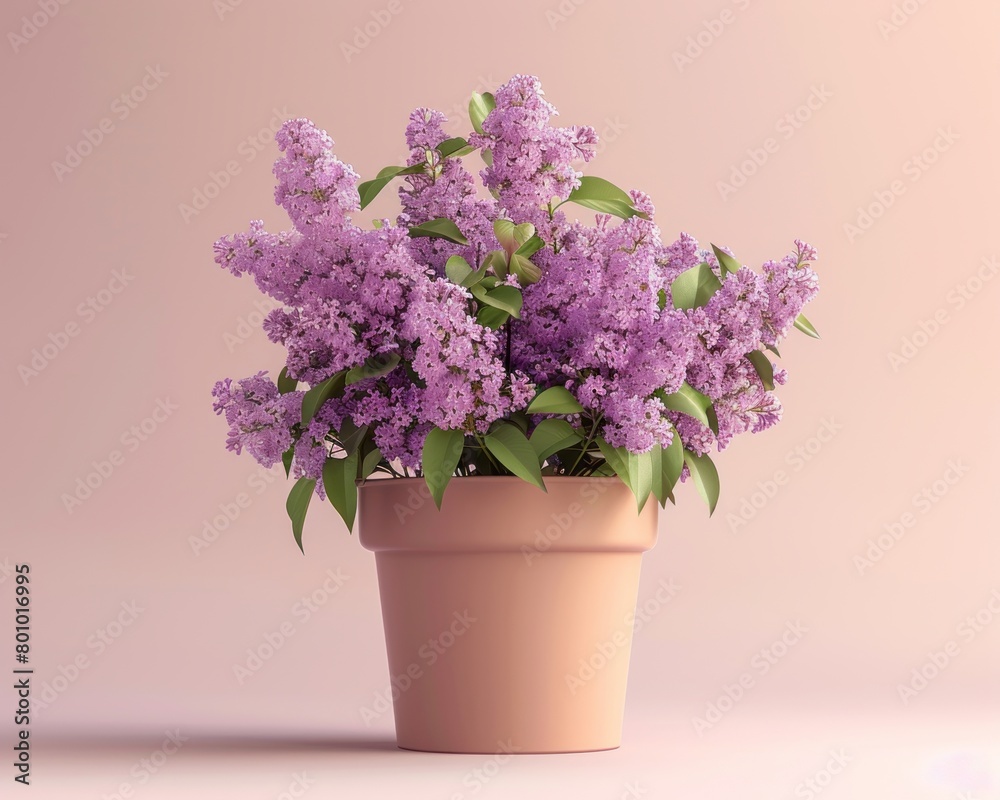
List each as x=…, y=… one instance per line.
x=882, y=93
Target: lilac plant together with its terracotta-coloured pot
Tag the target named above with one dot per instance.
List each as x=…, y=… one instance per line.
x=565, y=371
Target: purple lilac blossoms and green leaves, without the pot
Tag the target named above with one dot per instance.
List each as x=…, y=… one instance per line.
x=498, y=336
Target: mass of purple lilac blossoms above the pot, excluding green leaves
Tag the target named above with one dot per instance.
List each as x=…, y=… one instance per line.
x=600, y=321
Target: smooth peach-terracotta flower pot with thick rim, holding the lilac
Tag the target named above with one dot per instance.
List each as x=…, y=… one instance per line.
x=508, y=612
